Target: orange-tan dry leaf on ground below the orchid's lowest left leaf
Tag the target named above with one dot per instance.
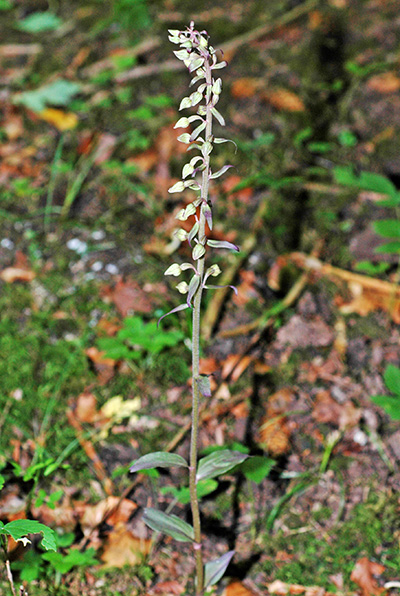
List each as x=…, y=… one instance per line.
x=124, y=548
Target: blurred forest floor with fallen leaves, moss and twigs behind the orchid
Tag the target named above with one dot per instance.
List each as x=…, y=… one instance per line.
x=311, y=96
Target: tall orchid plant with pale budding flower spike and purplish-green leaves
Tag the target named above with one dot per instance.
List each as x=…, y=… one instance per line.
x=201, y=60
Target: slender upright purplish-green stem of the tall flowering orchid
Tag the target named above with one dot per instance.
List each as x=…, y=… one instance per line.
x=194, y=503
